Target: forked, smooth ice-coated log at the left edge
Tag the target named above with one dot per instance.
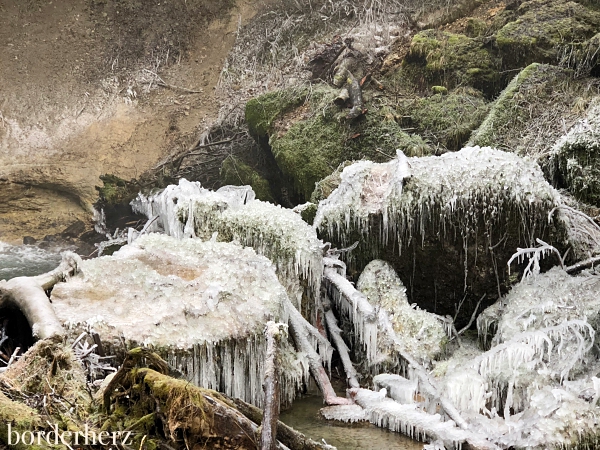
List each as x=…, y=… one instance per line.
x=29, y=296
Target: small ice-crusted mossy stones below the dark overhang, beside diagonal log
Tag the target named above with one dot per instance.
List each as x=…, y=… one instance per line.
x=421, y=334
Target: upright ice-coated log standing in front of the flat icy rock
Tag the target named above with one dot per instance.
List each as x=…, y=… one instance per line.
x=274, y=333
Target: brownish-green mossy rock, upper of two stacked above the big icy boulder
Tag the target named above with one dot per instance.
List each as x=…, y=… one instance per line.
x=448, y=59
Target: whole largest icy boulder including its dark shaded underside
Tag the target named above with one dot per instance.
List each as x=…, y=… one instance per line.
x=448, y=225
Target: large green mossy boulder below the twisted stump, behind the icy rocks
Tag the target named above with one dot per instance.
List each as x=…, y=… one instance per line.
x=309, y=140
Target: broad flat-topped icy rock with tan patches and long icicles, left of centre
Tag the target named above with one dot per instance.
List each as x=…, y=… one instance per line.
x=202, y=305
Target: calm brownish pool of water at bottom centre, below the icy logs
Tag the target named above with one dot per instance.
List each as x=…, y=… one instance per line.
x=304, y=416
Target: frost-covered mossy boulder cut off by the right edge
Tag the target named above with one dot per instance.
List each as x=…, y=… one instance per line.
x=575, y=158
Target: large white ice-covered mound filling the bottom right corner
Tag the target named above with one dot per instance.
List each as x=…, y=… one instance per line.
x=536, y=386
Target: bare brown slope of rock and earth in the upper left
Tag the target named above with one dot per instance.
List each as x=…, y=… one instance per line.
x=77, y=104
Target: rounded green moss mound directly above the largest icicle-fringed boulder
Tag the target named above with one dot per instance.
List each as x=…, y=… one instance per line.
x=447, y=120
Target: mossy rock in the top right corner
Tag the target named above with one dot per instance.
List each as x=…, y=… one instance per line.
x=542, y=28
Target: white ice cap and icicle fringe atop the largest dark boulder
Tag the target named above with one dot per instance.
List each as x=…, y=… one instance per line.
x=449, y=195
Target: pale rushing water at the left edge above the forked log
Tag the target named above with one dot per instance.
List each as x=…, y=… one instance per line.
x=26, y=260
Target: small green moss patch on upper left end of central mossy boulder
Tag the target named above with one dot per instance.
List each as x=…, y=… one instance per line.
x=261, y=112
